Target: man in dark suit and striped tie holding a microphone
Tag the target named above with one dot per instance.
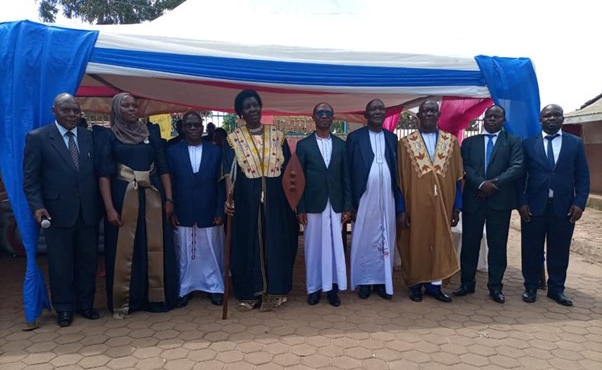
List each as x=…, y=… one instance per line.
x=61, y=186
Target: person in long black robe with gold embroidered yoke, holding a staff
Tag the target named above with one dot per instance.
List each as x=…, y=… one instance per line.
x=264, y=228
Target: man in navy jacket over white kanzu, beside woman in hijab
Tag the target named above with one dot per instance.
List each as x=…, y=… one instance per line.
x=199, y=196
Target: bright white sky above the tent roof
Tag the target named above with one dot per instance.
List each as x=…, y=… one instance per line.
x=560, y=37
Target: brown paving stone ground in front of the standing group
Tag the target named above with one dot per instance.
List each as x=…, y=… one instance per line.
x=472, y=332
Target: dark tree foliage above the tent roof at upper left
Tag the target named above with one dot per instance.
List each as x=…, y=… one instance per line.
x=105, y=11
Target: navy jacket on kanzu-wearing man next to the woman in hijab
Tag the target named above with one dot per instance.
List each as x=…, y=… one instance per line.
x=198, y=197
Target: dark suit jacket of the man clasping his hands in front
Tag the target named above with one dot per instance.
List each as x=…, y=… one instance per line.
x=505, y=168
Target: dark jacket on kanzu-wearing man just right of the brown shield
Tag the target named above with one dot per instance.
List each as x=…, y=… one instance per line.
x=322, y=183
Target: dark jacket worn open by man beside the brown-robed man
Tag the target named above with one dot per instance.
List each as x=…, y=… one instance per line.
x=360, y=155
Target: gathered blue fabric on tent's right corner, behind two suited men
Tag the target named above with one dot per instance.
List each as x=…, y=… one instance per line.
x=513, y=85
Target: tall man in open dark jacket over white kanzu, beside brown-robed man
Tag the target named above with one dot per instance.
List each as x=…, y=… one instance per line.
x=377, y=202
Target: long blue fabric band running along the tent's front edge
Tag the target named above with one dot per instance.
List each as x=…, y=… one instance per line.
x=281, y=72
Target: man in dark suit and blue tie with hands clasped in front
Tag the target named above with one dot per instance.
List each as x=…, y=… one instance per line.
x=493, y=163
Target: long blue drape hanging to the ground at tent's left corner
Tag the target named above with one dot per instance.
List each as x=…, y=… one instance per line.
x=38, y=62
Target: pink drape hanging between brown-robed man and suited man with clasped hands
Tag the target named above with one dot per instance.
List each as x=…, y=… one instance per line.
x=456, y=113
